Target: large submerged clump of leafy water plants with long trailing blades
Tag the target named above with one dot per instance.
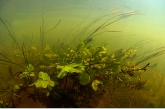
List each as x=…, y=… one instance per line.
x=74, y=71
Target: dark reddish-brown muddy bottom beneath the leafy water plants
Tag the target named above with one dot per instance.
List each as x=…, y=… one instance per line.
x=108, y=98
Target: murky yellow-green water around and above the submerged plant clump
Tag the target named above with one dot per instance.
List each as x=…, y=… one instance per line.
x=69, y=22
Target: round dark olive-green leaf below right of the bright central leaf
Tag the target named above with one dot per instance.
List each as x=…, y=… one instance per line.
x=84, y=79
